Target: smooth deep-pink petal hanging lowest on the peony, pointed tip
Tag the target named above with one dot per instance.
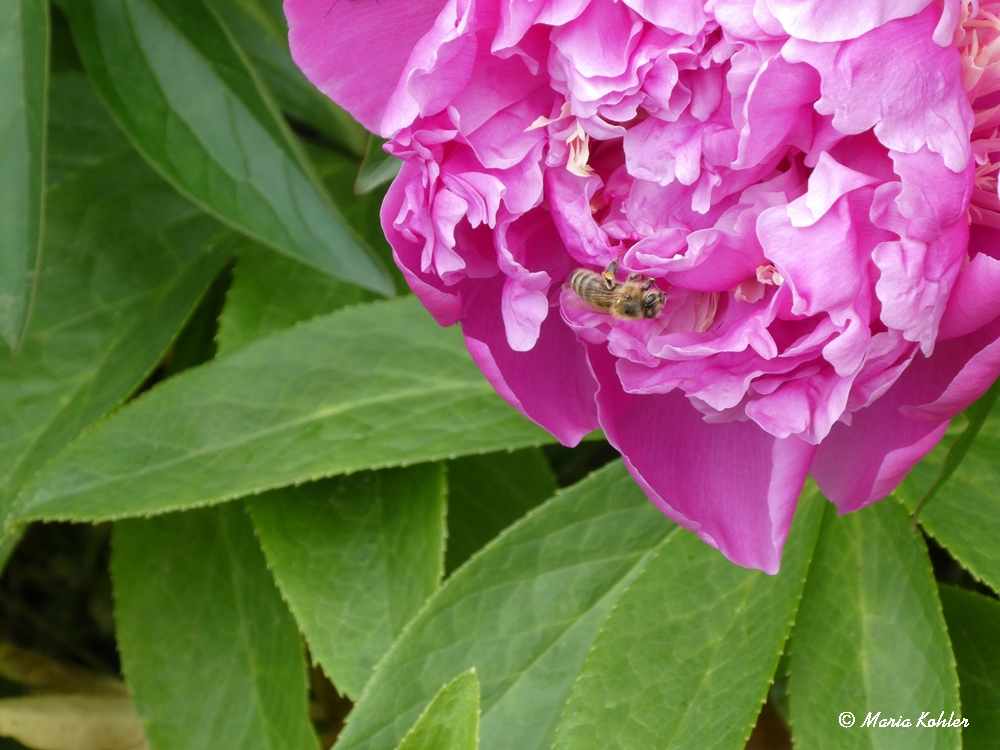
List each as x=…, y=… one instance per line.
x=733, y=484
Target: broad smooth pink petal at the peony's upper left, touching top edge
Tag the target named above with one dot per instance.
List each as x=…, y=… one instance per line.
x=355, y=52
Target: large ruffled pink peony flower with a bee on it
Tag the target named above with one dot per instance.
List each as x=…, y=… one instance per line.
x=797, y=176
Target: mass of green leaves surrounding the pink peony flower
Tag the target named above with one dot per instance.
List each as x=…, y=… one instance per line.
x=229, y=459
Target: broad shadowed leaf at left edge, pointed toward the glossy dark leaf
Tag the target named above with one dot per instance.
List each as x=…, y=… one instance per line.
x=126, y=260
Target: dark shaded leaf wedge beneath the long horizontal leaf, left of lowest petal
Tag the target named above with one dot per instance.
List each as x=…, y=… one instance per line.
x=486, y=494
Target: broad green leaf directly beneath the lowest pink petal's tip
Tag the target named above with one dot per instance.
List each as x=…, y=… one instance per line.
x=690, y=649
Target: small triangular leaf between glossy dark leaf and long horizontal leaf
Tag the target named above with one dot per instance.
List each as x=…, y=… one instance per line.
x=271, y=292
